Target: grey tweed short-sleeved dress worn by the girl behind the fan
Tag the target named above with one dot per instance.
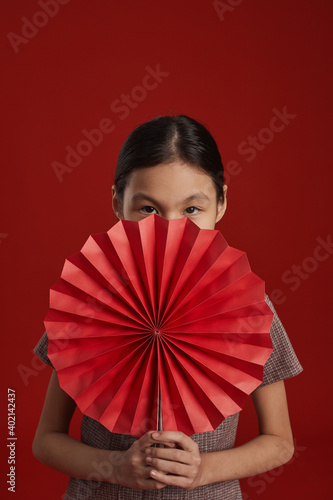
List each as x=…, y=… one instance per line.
x=281, y=364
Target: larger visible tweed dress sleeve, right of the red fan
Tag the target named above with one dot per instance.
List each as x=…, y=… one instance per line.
x=283, y=362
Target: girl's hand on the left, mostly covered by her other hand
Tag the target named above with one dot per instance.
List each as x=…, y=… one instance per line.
x=131, y=469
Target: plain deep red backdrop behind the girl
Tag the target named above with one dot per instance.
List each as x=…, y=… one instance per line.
x=228, y=73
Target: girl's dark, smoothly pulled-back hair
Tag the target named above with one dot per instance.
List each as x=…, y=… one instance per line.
x=166, y=139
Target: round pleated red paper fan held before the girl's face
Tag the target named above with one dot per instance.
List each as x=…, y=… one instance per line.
x=158, y=320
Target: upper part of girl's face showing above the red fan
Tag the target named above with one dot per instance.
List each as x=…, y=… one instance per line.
x=172, y=191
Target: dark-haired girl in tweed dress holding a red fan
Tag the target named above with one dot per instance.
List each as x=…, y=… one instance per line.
x=170, y=166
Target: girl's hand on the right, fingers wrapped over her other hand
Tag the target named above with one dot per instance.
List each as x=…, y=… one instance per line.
x=179, y=466
